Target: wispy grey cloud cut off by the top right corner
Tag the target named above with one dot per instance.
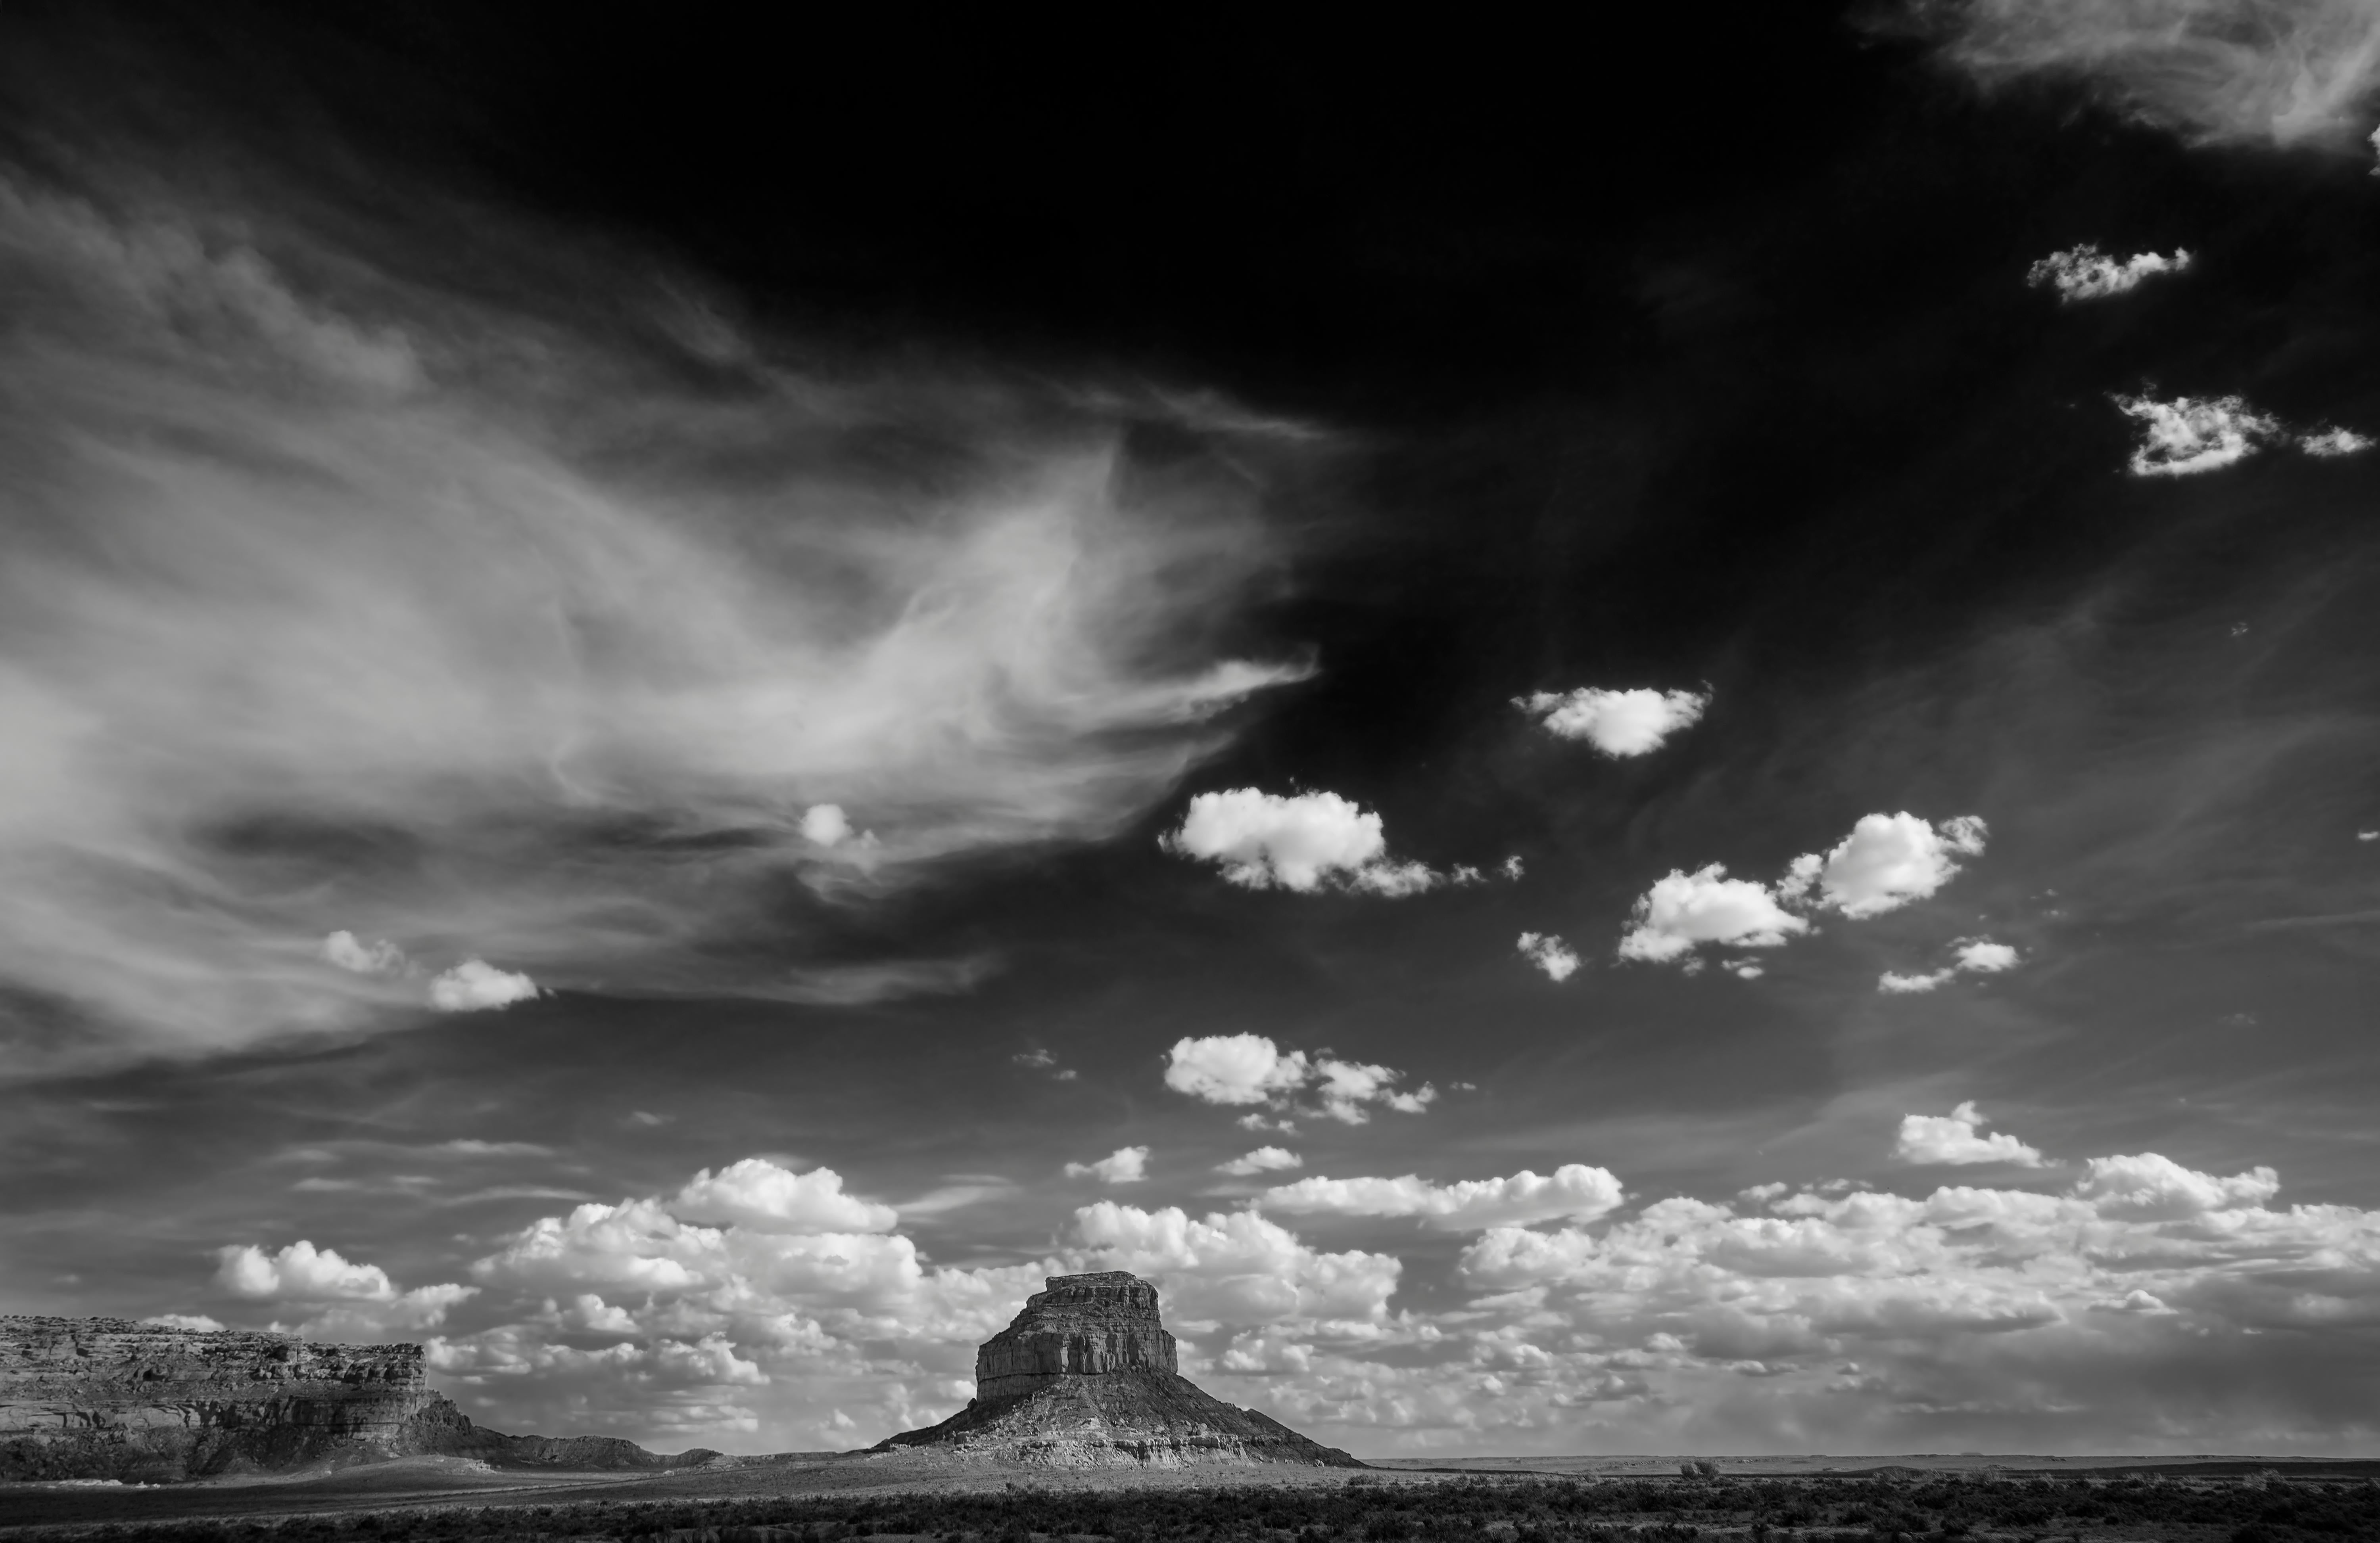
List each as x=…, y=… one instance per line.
x=2274, y=73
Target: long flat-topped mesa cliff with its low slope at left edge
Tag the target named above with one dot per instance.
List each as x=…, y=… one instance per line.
x=111, y=1399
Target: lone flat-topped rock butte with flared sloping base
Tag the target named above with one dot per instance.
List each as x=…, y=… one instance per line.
x=1086, y=1378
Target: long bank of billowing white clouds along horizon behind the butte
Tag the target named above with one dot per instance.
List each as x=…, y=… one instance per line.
x=2129, y=1301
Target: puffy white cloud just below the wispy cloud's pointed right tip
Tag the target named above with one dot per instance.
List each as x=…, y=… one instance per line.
x=1298, y=842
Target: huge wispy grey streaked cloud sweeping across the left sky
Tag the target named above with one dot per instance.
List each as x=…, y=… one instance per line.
x=334, y=606
